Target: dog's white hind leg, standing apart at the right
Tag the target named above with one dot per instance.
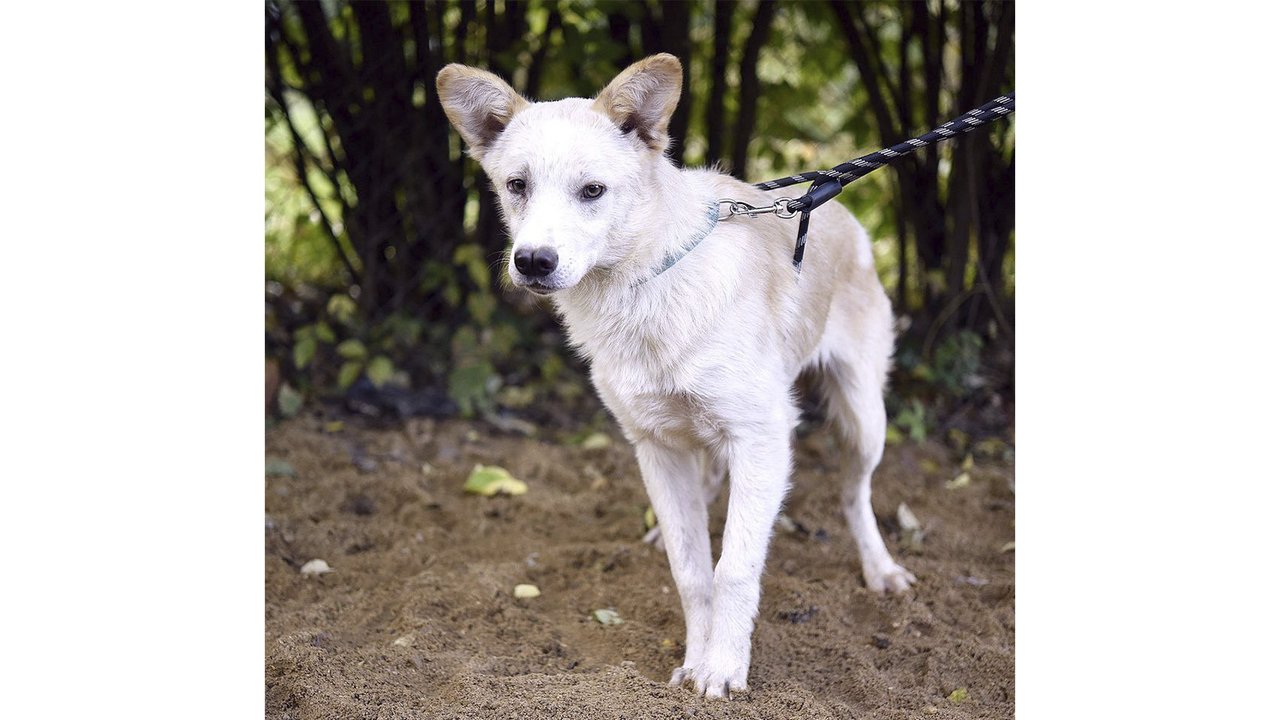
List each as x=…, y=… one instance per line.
x=857, y=403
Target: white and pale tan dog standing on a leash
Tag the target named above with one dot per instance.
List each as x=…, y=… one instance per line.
x=696, y=329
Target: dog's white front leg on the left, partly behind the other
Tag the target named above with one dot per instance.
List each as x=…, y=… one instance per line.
x=674, y=484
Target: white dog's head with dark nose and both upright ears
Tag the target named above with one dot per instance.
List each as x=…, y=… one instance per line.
x=569, y=174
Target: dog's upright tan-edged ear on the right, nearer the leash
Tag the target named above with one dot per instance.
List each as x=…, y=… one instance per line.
x=643, y=98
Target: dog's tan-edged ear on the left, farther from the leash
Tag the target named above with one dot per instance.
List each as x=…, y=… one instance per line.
x=478, y=103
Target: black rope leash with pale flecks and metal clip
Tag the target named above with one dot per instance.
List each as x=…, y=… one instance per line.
x=829, y=184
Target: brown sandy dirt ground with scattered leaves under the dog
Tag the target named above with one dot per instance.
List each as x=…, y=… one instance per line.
x=418, y=618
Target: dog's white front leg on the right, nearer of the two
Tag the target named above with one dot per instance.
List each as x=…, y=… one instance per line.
x=758, y=481
